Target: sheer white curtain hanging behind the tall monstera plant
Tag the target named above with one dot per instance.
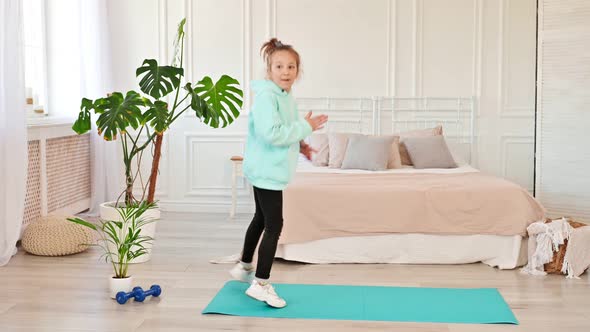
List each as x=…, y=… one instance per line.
x=96, y=82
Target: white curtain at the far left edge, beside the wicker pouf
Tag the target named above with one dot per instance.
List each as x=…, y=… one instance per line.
x=13, y=128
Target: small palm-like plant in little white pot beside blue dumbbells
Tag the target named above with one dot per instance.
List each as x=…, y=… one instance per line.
x=122, y=241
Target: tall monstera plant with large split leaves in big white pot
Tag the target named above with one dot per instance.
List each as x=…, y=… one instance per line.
x=140, y=120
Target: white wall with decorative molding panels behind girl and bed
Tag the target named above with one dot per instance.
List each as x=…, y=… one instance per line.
x=349, y=48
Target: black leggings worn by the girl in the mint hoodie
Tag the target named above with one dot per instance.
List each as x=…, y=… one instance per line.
x=268, y=218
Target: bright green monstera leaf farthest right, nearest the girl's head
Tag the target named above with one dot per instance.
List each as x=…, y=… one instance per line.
x=217, y=103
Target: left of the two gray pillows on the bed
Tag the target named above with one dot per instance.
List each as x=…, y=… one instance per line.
x=367, y=152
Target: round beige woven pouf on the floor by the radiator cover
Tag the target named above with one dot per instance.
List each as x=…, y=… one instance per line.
x=53, y=235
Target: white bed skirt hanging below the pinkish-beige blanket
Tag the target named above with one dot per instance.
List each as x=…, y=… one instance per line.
x=504, y=252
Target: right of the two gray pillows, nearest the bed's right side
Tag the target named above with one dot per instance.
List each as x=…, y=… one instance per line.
x=429, y=152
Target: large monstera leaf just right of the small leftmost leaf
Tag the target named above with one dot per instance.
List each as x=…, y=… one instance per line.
x=118, y=113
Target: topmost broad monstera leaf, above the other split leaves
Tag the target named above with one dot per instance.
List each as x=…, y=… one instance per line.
x=158, y=81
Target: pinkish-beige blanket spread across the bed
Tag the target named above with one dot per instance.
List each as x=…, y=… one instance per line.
x=325, y=205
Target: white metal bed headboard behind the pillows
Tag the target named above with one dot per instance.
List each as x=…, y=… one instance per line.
x=393, y=115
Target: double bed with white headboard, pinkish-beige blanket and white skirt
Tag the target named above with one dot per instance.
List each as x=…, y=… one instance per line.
x=405, y=215
